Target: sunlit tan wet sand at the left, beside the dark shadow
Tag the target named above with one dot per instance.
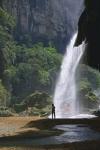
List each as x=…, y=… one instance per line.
x=11, y=126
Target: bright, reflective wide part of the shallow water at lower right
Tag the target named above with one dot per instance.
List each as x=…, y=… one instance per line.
x=77, y=133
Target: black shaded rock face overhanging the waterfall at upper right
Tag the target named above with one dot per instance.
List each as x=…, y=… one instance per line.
x=89, y=29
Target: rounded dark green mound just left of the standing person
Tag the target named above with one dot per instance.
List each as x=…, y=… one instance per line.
x=37, y=103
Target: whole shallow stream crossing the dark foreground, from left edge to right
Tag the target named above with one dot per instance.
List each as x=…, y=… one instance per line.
x=72, y=133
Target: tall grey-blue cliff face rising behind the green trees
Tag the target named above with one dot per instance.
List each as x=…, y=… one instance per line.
x=45, y=20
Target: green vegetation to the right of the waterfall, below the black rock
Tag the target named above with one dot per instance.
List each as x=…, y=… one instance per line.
x=89, y=84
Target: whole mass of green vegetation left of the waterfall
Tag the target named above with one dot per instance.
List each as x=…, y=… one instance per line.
x=27, y=72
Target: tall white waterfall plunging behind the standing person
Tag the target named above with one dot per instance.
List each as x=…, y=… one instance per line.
x=65, y=97
